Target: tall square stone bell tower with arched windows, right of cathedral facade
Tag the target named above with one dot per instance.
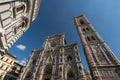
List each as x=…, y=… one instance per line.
x=102, y=62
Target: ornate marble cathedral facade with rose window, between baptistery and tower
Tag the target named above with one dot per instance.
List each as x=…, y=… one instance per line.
x=55, y=61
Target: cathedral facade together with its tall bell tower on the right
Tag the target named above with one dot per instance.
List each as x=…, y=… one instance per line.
x=57, y=60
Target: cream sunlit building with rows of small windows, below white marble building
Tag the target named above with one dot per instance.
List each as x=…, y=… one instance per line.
x=6, y=62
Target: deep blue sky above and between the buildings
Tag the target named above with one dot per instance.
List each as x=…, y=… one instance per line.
x=56, y=16
